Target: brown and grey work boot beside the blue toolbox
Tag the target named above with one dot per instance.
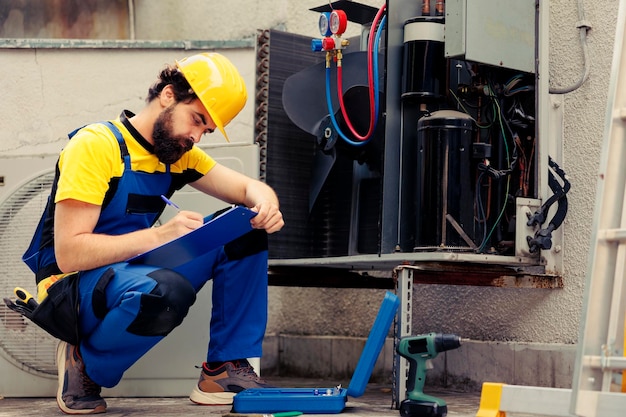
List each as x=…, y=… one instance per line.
x=219, y=385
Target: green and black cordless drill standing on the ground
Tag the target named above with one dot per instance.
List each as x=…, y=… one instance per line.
x=417, y=350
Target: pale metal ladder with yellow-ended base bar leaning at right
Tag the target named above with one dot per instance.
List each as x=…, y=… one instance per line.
x=599, y=383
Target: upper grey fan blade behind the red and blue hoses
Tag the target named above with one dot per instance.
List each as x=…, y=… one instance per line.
x=304, y=93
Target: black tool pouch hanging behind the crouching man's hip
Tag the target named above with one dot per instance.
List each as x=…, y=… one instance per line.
x=57, y=313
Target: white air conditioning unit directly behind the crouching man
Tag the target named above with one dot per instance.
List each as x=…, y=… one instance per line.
x=27, y=353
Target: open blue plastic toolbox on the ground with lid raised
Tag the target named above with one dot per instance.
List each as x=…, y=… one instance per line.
x=327, y=400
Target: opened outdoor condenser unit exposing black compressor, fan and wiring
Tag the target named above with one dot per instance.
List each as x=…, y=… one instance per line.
x=456, y=165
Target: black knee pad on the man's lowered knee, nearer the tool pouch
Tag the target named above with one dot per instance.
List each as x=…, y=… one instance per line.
x=165, y=306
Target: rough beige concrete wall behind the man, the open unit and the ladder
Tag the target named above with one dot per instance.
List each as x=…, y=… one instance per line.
x=47, y=92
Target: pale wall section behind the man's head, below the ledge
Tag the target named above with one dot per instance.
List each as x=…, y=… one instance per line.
x=53, y=91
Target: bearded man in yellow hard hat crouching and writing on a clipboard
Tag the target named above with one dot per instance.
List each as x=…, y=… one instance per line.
x=105, y=198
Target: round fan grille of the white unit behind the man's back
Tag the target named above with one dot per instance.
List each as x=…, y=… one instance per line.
x=21, y=341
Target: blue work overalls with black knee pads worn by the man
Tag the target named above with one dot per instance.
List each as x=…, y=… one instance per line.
x=126, y=309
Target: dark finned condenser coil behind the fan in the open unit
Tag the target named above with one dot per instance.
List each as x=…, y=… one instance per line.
x=289, y=156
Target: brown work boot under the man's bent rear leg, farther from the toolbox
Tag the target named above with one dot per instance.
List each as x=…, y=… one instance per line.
x=77, y=393
